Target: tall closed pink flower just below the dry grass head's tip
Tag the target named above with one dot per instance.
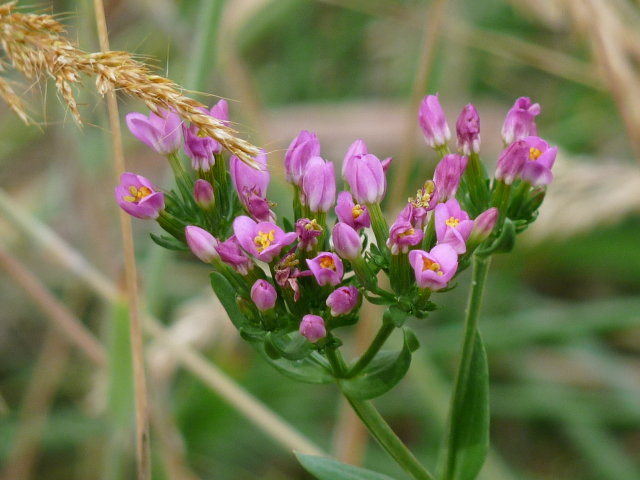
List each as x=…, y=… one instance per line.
x=251, y=185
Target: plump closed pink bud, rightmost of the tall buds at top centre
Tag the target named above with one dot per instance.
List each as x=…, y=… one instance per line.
x=365, y=176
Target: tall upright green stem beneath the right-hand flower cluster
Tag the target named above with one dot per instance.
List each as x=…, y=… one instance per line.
x=478, y=279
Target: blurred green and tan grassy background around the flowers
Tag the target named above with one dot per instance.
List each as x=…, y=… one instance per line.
x=560, y=320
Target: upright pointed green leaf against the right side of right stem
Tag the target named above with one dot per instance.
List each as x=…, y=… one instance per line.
x=469, y=429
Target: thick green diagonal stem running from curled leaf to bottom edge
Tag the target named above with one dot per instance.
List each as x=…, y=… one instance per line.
x=381, y=431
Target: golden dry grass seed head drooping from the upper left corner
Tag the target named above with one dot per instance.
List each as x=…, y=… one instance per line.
x=36, y=46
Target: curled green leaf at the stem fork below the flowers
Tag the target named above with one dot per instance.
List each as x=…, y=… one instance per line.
x=383, y=373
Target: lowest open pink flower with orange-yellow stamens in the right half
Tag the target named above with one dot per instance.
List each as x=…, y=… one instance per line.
x=434, y=269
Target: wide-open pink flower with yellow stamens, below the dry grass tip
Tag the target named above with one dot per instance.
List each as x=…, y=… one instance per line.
x=263, y=240
